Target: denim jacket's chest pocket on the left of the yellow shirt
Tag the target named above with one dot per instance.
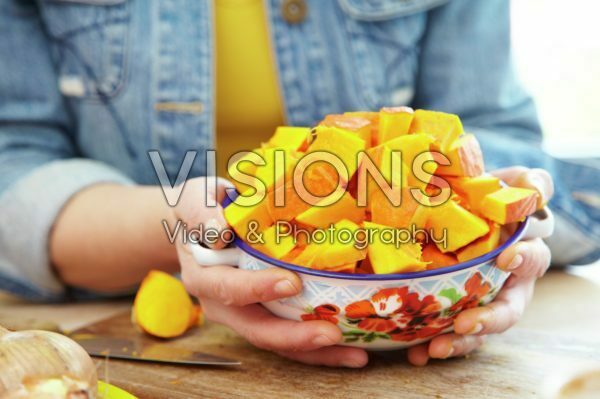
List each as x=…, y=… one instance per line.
x=89, y=40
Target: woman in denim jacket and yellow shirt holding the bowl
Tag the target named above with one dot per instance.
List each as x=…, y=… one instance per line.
x=88, y=87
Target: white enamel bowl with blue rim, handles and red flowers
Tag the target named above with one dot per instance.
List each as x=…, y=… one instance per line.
x=382, y=311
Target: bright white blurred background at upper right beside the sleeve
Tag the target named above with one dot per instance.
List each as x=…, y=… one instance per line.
x=557, y=53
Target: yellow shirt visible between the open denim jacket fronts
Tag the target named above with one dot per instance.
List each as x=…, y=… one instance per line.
x=248, y=102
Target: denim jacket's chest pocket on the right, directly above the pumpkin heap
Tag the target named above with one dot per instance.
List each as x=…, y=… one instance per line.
x=384, y=38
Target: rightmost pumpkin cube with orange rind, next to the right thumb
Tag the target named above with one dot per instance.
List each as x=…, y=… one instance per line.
x=509, y=204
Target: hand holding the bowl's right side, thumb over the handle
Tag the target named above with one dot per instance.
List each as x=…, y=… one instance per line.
x=526, y=260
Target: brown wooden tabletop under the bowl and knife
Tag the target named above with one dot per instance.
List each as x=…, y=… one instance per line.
x=511, y=365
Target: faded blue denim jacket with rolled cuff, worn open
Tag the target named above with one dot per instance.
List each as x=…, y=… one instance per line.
x=88, y=87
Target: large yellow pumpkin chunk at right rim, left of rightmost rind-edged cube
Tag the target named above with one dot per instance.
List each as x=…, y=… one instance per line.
x=459, y=226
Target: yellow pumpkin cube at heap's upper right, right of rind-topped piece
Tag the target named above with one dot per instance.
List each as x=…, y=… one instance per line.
x=445, y=128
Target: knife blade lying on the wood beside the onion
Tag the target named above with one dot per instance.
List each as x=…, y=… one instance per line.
x=128, y=349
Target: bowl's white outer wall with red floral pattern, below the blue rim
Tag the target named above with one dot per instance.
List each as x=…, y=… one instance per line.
x=387, y=314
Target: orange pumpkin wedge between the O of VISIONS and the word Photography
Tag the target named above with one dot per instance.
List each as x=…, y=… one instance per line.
x=324, y=216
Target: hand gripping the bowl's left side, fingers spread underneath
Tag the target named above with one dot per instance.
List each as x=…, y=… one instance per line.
x=231, y=296
